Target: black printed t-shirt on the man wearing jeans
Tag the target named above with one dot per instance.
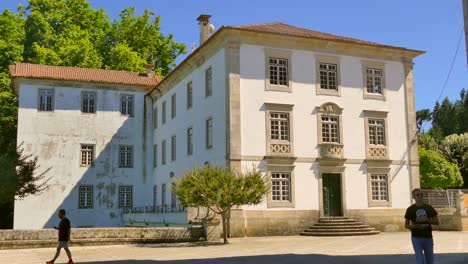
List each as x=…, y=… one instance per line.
x=424, y=210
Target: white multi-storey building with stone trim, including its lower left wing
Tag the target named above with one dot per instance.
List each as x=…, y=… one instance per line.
x=329, y=119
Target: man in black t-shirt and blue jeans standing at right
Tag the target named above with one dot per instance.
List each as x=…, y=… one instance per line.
x=419, y=217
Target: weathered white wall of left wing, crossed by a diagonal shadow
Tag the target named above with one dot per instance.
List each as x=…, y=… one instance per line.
x=56, y=137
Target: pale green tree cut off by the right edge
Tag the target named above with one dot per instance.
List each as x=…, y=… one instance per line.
x=455, y=150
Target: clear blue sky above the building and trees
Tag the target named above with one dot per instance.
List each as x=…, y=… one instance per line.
x=434, y=26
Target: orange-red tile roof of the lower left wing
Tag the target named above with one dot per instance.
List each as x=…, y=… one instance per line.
x=37, y=71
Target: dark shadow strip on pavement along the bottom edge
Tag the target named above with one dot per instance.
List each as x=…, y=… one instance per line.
x=445, y=258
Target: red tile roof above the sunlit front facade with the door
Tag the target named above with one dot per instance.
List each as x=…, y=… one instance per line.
x=279, y=28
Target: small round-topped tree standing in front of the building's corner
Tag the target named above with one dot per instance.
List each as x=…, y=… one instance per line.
x=219, y=189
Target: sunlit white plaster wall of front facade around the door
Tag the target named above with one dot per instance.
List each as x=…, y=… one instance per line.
x=305, y=99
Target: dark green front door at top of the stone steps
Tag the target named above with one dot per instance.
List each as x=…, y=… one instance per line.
x=331, y=194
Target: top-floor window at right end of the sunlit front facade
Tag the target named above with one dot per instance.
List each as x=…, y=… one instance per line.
x=373, y=80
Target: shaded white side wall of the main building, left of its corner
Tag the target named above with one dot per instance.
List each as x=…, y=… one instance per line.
x=195, y=117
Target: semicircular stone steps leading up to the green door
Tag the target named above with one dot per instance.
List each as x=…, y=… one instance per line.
x=339, y=226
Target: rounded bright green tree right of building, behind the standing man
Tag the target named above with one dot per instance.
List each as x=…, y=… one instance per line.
x=436, y=171
